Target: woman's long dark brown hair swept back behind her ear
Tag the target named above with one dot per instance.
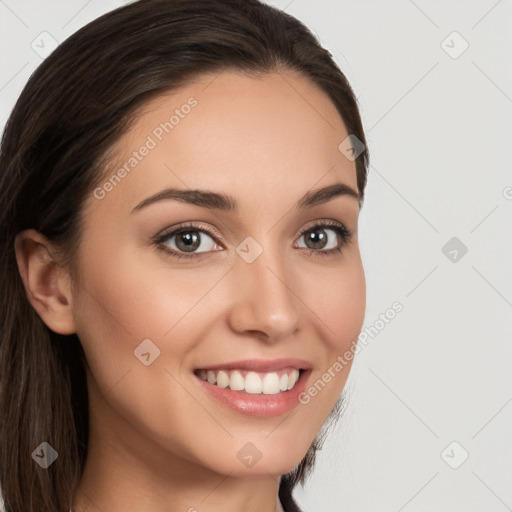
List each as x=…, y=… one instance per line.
x=73, y=109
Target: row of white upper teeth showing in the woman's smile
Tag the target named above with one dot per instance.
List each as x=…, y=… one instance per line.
x=254, y=383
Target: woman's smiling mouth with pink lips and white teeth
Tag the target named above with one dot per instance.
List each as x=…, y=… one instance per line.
x=256, y=387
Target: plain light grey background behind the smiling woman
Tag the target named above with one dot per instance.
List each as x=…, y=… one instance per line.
x=439, y=128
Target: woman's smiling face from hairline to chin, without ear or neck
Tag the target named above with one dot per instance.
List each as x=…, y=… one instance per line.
x=241, y=288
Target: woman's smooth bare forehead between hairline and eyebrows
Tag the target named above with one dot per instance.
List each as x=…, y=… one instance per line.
x=254, y=136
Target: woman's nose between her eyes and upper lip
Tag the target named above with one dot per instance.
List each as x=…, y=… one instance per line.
x=265, y=303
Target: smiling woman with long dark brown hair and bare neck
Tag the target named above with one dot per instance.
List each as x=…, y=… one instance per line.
x=181, y=184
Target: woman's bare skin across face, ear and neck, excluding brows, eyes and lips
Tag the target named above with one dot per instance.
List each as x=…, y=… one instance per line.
x=157, y=441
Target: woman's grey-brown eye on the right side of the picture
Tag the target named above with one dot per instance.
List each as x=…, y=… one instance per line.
x=326, y=238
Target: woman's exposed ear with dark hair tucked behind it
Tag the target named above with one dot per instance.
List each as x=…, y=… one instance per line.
x=48, y=284
